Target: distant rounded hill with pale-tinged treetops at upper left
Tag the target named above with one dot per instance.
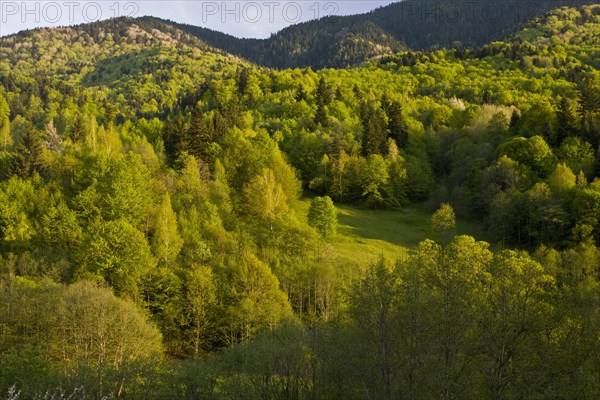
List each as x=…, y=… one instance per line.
x=149, y=63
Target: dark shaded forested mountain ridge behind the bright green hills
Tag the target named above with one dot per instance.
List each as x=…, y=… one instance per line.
x=341, y=41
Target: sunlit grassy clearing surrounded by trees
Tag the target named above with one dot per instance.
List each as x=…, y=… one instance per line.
x=365, y=235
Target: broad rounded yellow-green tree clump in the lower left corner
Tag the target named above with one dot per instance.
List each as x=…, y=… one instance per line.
x=82, y=326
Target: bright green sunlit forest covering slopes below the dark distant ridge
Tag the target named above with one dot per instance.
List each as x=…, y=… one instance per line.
x=177, y=222
